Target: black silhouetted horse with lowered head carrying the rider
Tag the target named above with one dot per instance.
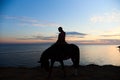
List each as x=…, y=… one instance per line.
x=60, y=53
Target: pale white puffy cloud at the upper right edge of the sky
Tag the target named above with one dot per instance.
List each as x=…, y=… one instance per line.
x=114, y=16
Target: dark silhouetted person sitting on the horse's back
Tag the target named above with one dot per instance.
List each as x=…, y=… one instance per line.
x=61, y=37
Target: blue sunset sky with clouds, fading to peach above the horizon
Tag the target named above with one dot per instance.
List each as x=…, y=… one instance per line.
x=37, y=21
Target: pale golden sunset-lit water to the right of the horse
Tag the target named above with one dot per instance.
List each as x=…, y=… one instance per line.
x=100, y=54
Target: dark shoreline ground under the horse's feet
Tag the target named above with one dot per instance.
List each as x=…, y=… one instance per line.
x=90, y=72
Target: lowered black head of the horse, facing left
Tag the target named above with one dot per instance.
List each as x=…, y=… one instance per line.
x=44, y=62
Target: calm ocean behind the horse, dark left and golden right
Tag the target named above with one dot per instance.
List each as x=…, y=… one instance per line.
x=15, y=55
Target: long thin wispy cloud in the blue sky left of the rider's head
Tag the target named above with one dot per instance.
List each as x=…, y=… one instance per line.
x=27, y=21
